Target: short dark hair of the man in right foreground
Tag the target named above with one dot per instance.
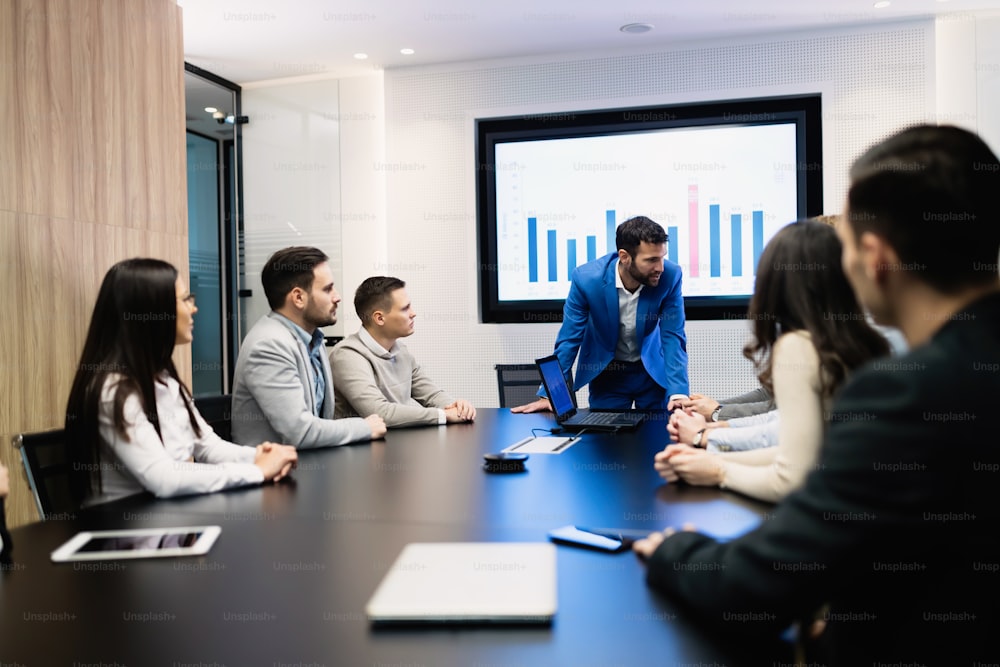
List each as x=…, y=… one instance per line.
x=932, y=193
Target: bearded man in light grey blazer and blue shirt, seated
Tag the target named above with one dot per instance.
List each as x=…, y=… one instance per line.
x=283, y=389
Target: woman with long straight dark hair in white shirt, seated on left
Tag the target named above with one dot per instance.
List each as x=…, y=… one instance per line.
x=130, y=421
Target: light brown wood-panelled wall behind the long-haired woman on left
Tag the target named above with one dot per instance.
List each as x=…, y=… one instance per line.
x=93, y=145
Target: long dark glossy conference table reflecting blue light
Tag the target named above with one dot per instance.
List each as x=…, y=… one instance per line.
x=288, y=579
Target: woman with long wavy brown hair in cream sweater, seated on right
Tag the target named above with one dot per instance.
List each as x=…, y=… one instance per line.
x=809, y=334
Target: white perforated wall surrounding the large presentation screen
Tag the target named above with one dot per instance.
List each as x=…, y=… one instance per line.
x=873, y=82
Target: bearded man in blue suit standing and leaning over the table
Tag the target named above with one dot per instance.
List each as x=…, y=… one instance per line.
x=625, y=316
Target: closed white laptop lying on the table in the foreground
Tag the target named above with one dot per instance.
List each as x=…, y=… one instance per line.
x=468, y=582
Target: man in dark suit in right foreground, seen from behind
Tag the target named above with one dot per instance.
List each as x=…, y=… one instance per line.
x=897, y=527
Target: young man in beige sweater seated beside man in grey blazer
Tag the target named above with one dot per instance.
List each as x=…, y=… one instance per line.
x=375, y=374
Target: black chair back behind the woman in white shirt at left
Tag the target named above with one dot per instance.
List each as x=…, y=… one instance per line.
x=46, y=462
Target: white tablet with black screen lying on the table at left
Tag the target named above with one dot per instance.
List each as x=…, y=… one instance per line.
x=138, y=543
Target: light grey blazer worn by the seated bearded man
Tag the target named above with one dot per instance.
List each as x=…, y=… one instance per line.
x=273, y=397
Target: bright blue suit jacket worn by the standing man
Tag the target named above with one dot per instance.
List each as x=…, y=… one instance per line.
x=590, y=325
